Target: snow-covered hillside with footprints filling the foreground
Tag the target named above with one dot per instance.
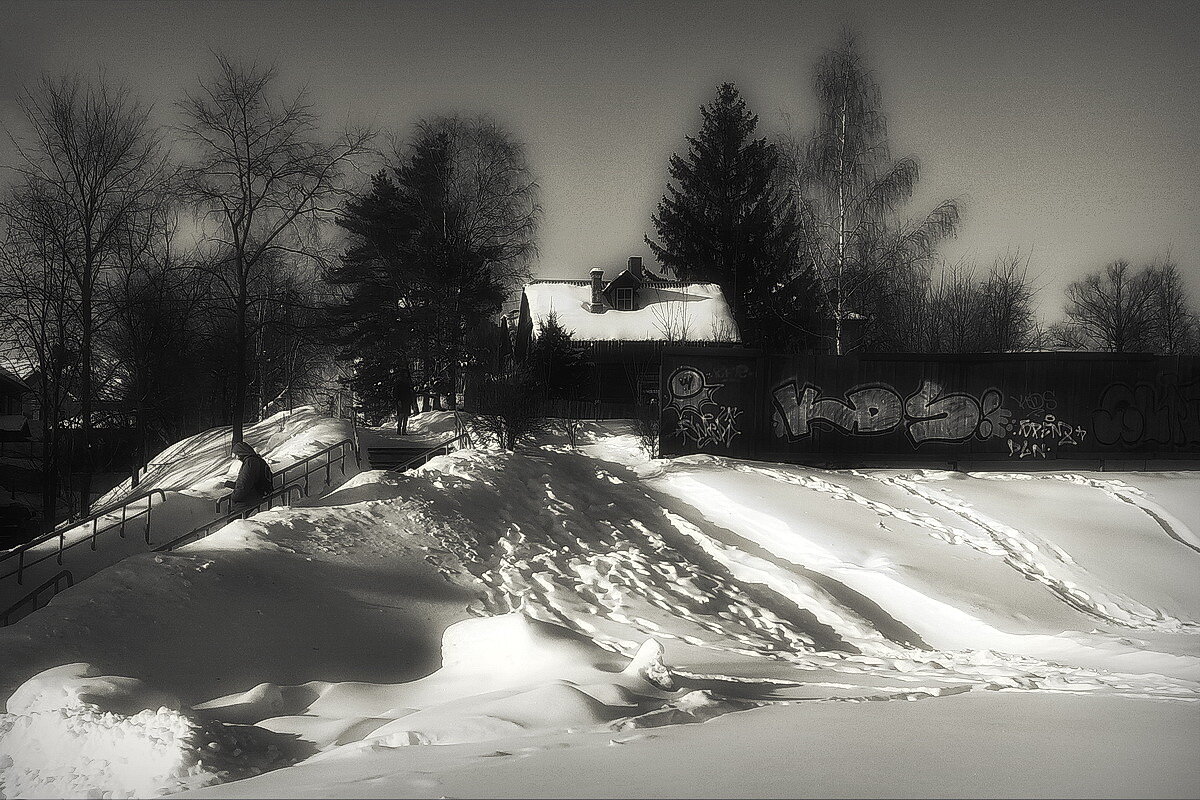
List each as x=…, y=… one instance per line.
x=554, y=623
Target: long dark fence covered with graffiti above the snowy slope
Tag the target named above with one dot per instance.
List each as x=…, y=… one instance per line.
x=915, y=407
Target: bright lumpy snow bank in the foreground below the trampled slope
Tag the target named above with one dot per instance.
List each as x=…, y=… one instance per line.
x=502, y=677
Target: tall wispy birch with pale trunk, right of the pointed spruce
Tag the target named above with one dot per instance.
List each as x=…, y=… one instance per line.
x=848, y=190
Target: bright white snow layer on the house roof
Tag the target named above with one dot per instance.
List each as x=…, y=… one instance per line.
x=668, y=311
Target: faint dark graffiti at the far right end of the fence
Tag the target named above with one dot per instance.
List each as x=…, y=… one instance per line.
x=1166, y=412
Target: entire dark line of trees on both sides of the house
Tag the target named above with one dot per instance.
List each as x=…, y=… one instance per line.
x=166, y=280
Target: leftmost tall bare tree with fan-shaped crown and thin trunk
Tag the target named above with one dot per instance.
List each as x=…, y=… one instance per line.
x=94, y=159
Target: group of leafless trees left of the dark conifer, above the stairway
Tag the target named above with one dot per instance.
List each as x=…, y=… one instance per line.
x=159, y=281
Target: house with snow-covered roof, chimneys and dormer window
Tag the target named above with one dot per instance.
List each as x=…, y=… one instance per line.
x=623, y=324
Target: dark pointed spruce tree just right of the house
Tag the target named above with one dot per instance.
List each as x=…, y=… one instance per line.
x=722, y=220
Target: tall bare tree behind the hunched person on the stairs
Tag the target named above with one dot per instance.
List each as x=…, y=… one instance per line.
x=266, y=179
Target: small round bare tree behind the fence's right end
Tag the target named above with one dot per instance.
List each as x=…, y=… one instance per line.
x=1113, y=310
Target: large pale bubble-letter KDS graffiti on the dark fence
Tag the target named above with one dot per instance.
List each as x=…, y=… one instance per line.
x=931, y=414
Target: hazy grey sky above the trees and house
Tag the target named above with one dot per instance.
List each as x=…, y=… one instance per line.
x=1067, y=130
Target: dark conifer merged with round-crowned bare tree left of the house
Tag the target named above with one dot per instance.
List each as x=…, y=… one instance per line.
x=437, y=243
